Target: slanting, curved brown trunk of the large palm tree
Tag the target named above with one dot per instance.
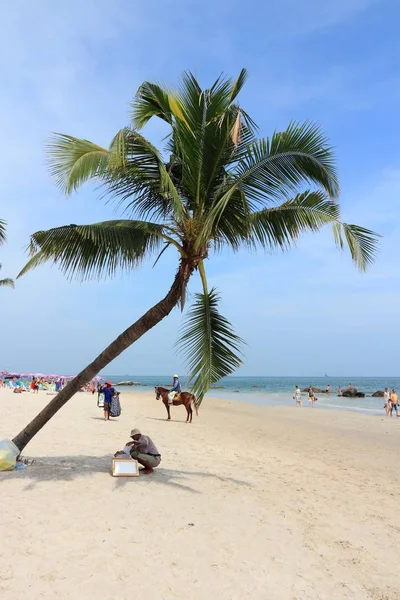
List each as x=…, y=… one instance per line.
x=123, y=341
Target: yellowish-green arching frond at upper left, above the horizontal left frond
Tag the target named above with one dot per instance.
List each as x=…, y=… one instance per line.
x=131, y=169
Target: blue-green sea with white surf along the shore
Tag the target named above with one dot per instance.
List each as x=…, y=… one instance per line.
x=278, y=391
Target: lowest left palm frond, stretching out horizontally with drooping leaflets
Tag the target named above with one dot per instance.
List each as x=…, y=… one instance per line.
x=95, y=251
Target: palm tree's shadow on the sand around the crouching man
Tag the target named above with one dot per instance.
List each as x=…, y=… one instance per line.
x=68, y=468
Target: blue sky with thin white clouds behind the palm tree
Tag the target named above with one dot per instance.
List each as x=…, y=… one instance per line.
x=74, y=66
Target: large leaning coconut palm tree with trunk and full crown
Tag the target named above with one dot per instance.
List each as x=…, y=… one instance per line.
x=221, y=186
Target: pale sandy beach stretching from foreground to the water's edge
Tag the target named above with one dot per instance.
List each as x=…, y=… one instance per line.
x=248, y=502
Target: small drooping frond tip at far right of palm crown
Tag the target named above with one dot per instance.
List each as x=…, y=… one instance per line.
x=362, y=243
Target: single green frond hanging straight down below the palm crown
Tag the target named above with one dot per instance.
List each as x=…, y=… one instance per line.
x=209, y=344
